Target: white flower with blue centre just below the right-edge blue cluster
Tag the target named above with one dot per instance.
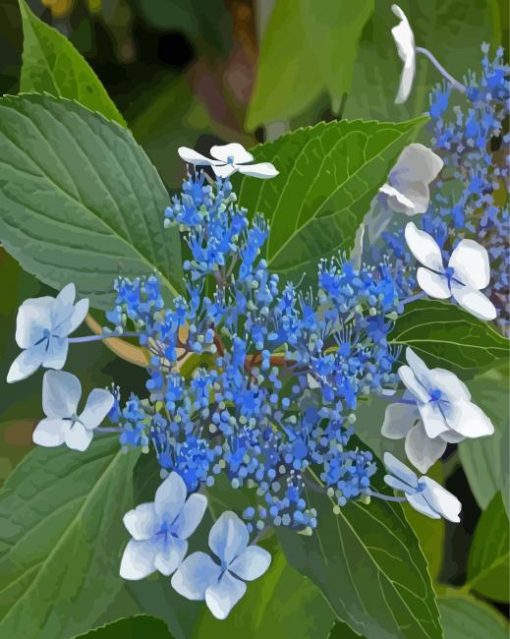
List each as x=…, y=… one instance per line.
x=468, y=272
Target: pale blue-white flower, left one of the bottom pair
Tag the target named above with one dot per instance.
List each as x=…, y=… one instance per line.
x=160, y=530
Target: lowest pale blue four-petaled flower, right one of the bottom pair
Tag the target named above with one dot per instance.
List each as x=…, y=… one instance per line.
x=220, y=582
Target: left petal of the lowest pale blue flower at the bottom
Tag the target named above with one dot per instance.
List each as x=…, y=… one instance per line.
x=196, y=573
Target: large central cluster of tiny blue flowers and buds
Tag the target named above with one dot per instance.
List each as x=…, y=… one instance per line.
x=249, y=377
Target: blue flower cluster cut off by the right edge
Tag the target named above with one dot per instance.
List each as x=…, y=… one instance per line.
x=470, y=133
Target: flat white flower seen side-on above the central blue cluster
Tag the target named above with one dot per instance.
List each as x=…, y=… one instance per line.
x=228, y=159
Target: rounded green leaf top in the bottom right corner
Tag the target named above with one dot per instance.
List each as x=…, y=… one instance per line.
x=465, y=617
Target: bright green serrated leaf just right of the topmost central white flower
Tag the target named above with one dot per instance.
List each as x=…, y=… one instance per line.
x=329, y=174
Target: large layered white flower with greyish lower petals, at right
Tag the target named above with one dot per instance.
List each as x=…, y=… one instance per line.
x=441, y=404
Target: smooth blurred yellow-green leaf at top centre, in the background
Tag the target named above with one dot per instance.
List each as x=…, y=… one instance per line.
x=286, y=70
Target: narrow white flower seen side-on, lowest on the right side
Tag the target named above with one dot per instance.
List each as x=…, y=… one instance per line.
x=425, y=495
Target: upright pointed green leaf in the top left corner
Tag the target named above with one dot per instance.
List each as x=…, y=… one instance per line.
x=52, y=65
